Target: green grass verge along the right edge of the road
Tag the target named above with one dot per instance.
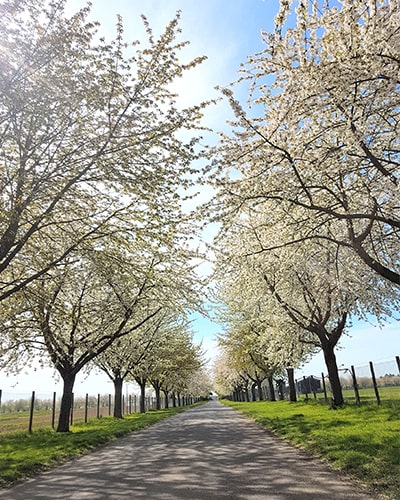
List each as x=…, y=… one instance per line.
x=363, y=441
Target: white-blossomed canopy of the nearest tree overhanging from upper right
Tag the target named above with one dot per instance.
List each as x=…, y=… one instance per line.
x=321, y=140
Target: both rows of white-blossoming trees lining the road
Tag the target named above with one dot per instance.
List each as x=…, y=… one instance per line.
x=96, y=259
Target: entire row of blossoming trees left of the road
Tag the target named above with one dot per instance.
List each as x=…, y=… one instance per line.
x=96, y=266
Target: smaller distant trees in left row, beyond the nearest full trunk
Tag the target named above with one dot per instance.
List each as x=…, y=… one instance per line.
x=163, y=356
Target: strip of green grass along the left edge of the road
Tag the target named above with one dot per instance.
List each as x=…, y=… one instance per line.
x=23, y=454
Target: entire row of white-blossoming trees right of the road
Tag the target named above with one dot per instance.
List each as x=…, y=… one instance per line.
x=307, y=189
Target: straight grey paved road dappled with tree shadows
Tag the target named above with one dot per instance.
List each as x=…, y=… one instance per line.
x=207, y=452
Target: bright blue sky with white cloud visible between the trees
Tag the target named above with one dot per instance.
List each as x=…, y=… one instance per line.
x=226, y=31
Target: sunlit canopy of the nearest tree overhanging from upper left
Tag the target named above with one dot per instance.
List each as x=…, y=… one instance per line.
x=88, y=135
